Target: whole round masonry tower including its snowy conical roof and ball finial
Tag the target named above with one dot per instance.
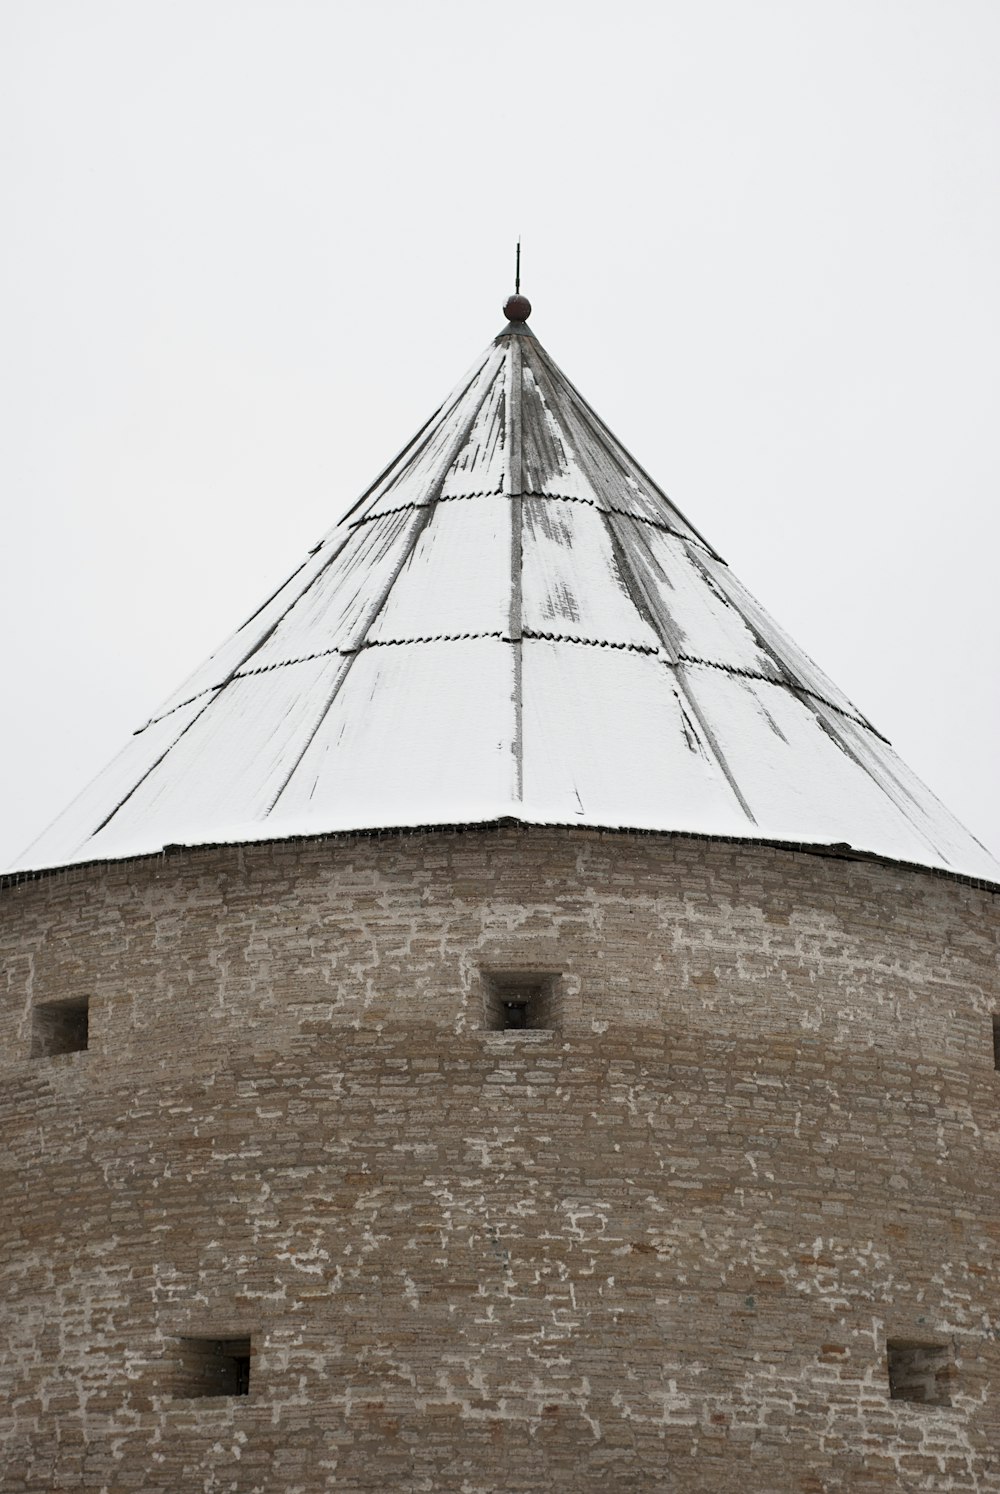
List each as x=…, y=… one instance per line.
x=506, y=1024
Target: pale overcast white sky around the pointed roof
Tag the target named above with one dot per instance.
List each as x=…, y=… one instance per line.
x=250, y=244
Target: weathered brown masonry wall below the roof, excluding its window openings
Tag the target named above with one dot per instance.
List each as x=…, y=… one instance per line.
x=661, y=1248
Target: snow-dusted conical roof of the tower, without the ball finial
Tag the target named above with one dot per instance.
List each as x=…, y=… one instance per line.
x=513, y=622
